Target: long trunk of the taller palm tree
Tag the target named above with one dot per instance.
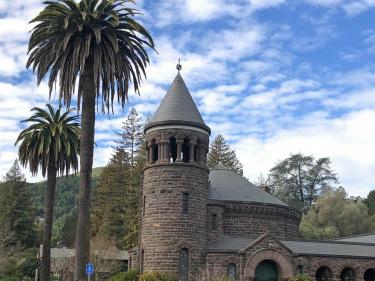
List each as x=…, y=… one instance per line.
x=86, y=160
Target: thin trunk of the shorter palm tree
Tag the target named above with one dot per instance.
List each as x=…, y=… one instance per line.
x=48, y=218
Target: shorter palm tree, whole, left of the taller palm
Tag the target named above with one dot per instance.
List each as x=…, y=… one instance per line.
x=50, y=144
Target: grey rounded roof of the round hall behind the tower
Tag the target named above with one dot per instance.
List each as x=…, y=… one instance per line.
x=227, y=185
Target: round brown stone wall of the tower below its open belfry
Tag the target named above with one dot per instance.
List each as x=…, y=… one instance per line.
x=165, y=228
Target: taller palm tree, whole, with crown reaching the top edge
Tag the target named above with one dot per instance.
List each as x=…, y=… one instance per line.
x=99, y=45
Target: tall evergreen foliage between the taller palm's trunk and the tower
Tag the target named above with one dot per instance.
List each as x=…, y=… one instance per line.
x=115, y=211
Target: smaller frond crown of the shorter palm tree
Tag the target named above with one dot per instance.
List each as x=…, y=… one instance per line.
x=52, y=140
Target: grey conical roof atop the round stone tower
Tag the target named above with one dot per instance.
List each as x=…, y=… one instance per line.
x=178, y=108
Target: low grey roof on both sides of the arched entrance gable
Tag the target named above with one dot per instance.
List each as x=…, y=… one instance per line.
x=318, y=248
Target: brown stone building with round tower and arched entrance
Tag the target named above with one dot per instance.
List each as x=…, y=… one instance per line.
x=193, y=217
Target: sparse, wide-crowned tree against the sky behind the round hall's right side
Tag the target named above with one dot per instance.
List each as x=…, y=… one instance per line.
x=299, y=180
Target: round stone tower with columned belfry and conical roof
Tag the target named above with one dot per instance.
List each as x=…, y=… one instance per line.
x=175, y=186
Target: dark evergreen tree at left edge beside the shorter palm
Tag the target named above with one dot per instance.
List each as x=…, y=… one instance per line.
x=16, y=208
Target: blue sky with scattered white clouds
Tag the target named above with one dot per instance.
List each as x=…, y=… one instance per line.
x=275, y=77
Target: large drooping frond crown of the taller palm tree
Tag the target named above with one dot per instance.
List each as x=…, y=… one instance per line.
x=70, y=35
